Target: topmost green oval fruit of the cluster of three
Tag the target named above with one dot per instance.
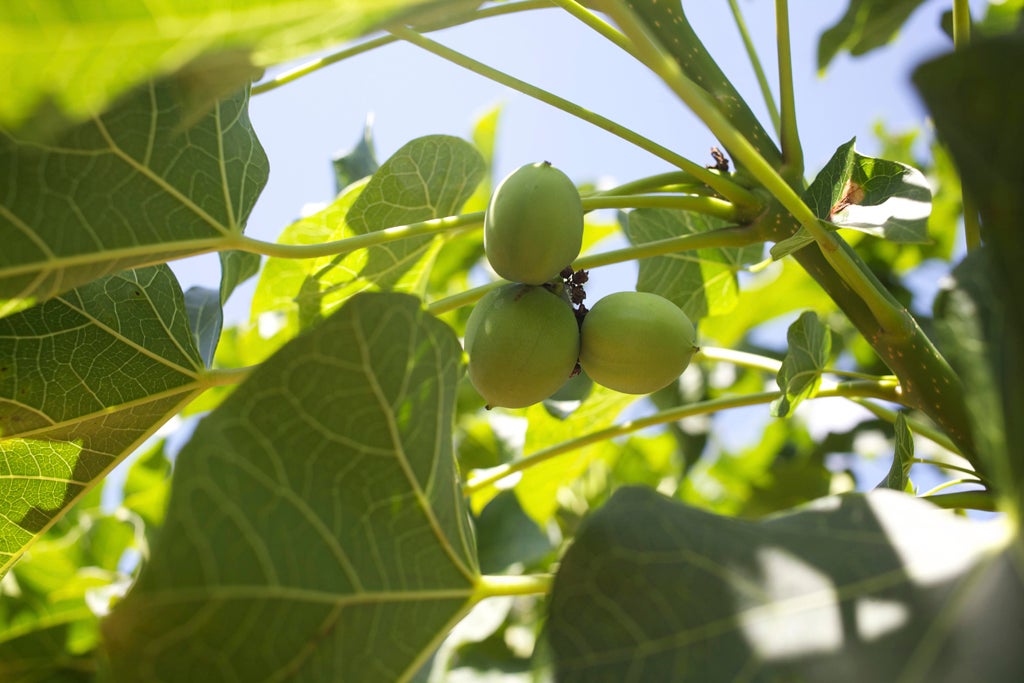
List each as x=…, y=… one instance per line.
x=534, y=225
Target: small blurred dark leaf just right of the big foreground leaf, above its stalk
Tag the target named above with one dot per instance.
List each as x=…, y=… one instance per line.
x=506, y=536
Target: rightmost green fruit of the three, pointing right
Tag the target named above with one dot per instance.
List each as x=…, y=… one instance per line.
x=636, y=343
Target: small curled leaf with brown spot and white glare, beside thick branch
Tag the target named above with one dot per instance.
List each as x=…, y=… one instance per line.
x=879, y=197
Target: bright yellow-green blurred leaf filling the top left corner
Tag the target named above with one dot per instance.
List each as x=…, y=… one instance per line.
x=76, y=57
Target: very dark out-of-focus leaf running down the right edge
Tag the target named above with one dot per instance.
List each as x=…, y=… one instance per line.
x=976, y=104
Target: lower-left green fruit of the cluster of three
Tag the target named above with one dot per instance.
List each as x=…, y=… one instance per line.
x=523, y=344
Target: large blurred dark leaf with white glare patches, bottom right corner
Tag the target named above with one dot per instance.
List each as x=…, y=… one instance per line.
x=877, y=587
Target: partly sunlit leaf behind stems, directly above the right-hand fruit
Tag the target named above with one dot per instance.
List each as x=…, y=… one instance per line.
x=703, y=282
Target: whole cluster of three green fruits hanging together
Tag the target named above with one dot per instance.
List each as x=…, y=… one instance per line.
x=525, y=340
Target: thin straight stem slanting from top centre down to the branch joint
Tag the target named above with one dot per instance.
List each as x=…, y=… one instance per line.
x=744, y=199
